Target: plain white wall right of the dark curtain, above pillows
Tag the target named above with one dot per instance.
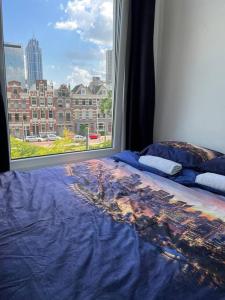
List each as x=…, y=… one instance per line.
x=190, y=75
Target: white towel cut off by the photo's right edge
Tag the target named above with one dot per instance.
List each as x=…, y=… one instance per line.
x=212, y=180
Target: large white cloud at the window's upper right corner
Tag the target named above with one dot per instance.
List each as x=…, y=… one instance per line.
x=92, y=20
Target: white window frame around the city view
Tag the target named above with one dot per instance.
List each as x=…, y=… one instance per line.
x=120, y=26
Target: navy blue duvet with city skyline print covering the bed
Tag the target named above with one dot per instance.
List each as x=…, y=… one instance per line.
x=104, y=230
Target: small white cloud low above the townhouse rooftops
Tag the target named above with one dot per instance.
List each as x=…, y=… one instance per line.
x=79, y=76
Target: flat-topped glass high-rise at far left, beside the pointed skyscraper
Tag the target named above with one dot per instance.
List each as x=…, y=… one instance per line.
x=14, y=63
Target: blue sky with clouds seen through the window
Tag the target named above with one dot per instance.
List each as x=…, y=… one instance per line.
x=73, y=35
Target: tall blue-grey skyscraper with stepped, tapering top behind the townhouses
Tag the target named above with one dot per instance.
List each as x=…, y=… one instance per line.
x=33, y=62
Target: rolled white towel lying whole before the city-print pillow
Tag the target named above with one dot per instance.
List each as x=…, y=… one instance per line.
x=167, y=166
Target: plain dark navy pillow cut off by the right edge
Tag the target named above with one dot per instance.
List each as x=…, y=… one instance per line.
x=216, y=165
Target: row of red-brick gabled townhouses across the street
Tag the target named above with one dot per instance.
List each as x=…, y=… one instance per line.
x=42, y=110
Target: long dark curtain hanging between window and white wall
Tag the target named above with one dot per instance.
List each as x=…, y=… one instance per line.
x=140, y=104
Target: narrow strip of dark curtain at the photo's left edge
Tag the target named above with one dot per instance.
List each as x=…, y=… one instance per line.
x=4, y=147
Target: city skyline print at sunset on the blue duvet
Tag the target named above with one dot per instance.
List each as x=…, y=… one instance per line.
x=174, y=219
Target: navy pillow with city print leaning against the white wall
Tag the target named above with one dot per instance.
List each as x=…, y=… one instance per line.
x=190, y=156
